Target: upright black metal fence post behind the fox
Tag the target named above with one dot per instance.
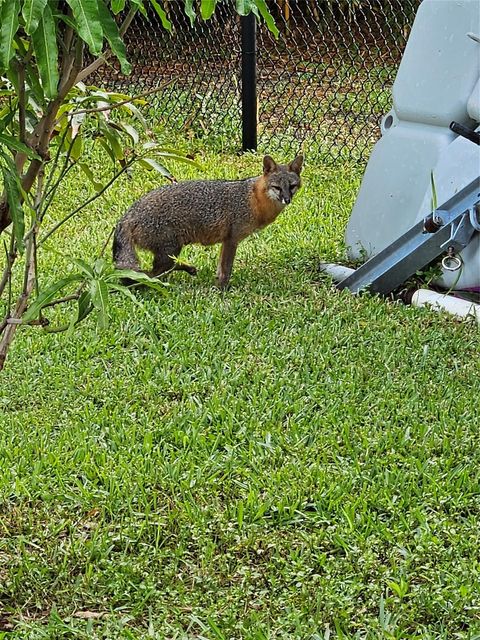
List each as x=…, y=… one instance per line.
x=249, y=83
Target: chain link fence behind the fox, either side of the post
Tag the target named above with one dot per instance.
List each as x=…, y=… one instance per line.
x=327, y=78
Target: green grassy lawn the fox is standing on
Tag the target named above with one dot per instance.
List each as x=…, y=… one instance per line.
x=279, y=461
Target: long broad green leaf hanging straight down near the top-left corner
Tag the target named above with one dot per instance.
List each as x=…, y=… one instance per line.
x=46, y=52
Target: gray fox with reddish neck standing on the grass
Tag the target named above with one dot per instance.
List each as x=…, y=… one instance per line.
x=205, y=212
